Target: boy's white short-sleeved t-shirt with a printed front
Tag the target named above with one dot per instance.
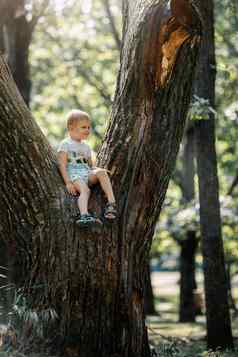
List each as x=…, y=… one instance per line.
x=76, y=150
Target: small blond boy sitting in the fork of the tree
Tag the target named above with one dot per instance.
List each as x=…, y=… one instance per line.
x=75, y=165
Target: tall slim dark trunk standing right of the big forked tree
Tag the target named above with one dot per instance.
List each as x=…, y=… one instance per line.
x=217, y=310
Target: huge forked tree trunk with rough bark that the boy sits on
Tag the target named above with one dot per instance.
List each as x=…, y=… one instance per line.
x=91, y=280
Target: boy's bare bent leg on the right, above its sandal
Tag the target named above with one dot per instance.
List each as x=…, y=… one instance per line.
x=104, y=180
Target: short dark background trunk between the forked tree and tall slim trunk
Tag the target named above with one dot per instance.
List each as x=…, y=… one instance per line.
x=187, y=311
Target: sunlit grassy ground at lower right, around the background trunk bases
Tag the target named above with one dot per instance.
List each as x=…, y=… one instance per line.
x=173, y=339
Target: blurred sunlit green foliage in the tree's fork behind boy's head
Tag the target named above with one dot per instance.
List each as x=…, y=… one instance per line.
x=74, y=62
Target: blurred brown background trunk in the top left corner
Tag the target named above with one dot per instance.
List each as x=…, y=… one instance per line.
x=18, y=20
